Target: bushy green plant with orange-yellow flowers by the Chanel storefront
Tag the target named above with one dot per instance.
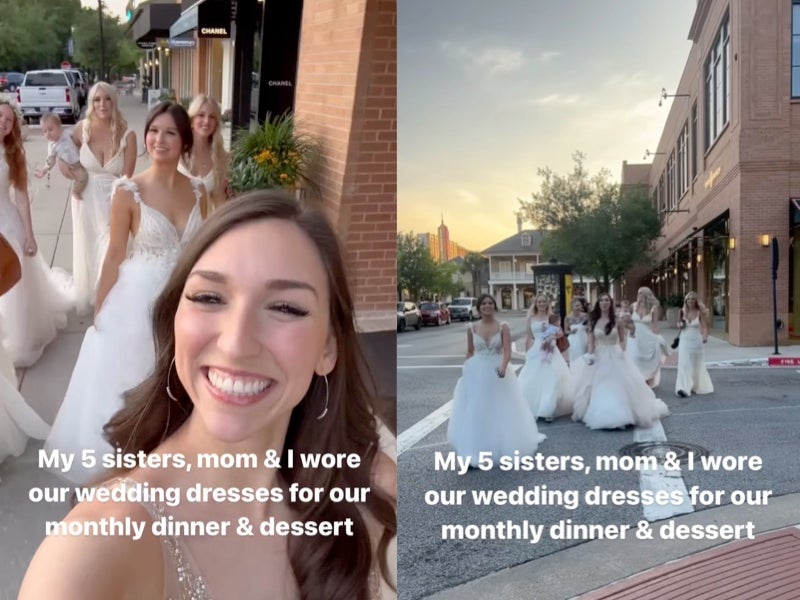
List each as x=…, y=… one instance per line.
x=275, y=155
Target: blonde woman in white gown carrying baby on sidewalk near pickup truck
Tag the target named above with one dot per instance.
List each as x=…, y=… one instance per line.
x=107, y=151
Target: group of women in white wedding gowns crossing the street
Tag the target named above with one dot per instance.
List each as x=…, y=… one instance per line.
x=614, y=363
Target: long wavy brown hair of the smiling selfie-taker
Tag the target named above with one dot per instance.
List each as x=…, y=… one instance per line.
x=329, y=568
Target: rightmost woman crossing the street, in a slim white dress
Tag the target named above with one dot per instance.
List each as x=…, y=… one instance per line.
x=693, y=376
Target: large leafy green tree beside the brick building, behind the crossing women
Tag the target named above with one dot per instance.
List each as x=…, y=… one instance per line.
x=592, y=222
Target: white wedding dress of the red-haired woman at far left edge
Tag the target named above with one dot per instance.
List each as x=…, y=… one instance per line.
x=34, y=309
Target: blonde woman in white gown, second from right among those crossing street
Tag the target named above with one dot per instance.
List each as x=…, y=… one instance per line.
x=646, y=347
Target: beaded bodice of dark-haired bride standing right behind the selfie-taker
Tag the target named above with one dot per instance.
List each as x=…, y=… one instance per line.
x=157, y=236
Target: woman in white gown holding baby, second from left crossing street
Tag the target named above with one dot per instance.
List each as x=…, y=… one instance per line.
x=545, y=378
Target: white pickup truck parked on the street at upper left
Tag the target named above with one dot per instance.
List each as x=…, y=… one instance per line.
x=49, y=90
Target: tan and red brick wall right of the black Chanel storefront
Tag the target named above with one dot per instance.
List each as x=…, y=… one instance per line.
x=347, y=97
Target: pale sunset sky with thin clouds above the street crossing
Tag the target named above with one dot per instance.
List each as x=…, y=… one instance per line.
x=489, y=92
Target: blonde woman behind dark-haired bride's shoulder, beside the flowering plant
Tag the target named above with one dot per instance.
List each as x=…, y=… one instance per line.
x=208, y=161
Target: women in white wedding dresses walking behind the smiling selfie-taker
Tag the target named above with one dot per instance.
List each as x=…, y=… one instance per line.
x=127, y=232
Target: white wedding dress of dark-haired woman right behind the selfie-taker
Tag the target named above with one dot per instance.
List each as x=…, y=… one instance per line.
x=117, y=353
